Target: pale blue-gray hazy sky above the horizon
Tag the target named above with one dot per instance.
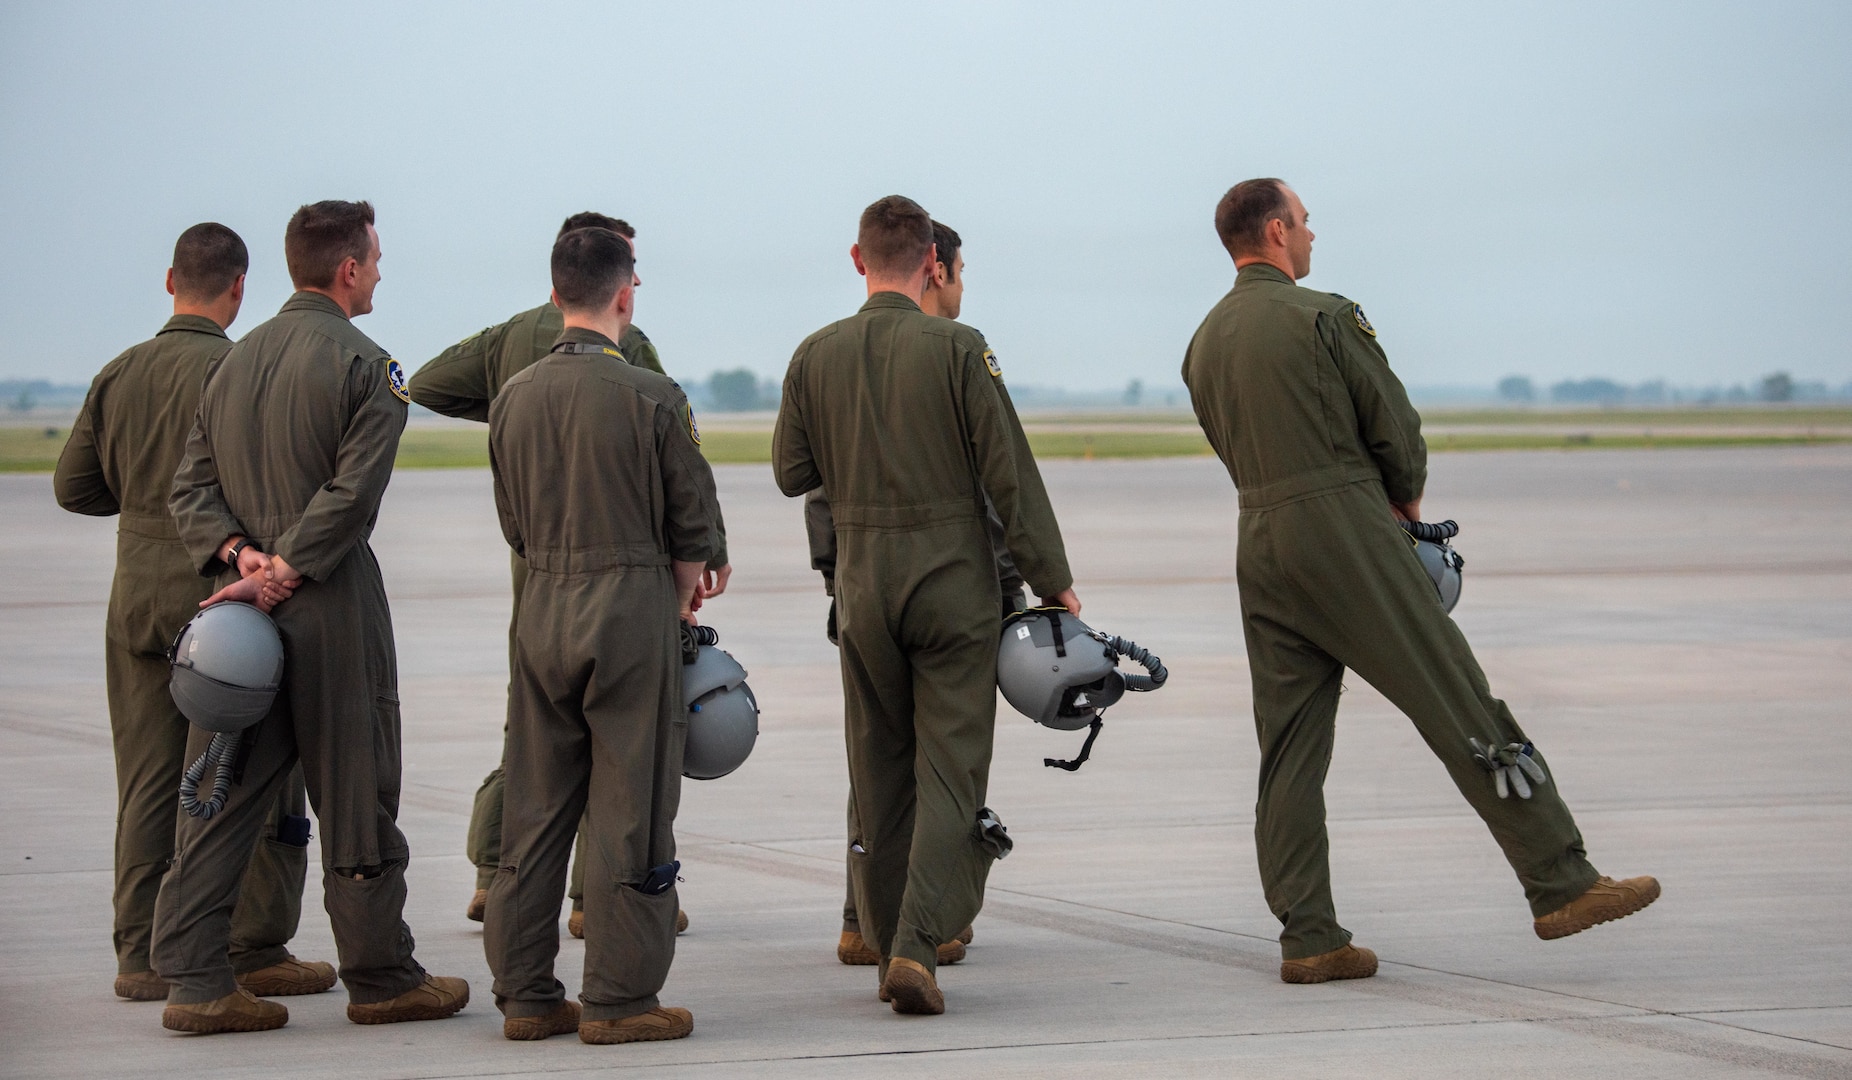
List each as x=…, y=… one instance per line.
x=1638, y=192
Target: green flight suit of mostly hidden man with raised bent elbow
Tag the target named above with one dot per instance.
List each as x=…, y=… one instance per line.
x=460, y=383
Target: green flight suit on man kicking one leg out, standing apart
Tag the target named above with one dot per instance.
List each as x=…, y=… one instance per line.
x=1297, y=397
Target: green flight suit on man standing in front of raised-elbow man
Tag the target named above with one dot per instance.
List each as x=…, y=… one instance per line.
x=599, y=484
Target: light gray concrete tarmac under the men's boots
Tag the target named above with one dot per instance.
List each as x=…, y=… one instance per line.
x=1675, y=629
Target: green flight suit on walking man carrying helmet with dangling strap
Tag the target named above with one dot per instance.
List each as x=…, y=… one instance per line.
x=905, y=421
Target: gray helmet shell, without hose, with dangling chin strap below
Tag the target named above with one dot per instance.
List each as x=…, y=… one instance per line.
x=1049, y=688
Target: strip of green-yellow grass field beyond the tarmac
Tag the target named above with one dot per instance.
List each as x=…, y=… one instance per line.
x=36, y=449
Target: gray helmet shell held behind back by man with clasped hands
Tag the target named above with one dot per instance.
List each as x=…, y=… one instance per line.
x=227, y=668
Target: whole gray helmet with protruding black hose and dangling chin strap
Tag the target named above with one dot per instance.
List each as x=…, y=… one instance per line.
x=1058, y=672
